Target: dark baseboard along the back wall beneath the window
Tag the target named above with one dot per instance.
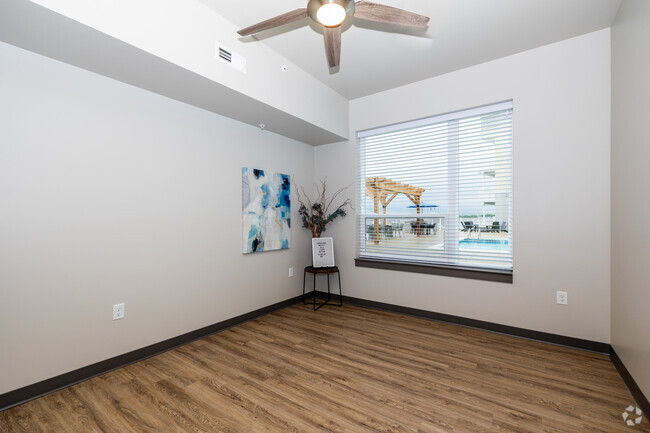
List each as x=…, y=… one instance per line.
x=545, y=337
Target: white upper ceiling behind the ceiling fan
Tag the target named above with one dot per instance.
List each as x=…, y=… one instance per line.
x=461, y=33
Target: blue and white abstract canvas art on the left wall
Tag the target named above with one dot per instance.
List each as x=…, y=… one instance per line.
x=266, y=209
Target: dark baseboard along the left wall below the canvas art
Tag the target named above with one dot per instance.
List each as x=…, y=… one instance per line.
x=30, y=392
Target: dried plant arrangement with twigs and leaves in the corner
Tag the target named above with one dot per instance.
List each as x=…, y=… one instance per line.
x=315, y=213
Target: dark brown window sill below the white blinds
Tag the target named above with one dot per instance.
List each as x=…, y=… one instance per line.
x=495, y=275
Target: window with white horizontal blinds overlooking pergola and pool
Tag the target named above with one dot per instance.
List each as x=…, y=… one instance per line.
x=438, y=191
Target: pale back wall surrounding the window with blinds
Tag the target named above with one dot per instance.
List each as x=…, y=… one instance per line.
x=561, y=96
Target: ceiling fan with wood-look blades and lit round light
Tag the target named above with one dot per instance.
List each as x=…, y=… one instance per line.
x=331, y=14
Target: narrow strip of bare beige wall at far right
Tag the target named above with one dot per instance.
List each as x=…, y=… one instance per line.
x=630, y=183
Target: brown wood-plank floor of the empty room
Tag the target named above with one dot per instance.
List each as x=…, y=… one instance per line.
x=344, y=369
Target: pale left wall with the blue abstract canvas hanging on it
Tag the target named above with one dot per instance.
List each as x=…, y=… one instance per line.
x=112, y=194
